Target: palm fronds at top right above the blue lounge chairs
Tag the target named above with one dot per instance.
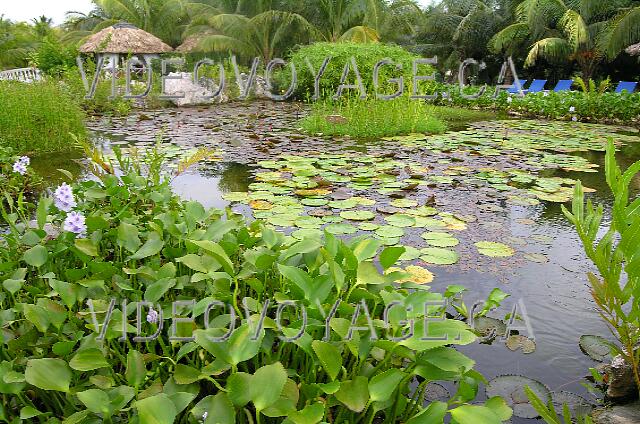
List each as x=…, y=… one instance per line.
x=583, y=32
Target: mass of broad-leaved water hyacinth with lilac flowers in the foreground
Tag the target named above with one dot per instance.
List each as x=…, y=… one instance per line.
x=67, y=298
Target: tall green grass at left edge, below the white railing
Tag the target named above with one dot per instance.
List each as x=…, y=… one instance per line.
x=37, y=118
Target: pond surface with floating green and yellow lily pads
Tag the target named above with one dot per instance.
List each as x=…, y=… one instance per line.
x=499, y=181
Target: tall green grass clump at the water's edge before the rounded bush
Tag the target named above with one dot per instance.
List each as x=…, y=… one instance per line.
x=372, y=118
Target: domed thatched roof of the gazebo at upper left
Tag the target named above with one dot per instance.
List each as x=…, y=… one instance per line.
x=124, y=38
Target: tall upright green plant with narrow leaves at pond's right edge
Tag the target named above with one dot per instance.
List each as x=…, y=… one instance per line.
x=616, y=256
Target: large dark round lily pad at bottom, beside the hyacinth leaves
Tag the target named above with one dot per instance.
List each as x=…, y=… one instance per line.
x=511, y=388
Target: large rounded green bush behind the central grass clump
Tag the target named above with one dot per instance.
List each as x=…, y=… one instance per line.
x=366, y=56
